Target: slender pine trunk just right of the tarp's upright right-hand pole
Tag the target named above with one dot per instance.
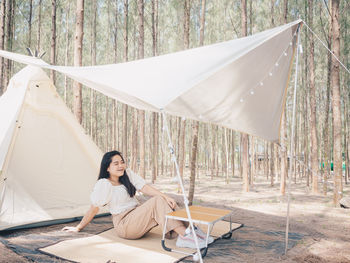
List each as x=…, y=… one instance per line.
x=314, y=152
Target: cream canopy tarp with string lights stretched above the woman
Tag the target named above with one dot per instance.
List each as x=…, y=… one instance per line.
x=239, y=84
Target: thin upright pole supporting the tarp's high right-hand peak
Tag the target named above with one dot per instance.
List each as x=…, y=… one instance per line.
x=292, y=140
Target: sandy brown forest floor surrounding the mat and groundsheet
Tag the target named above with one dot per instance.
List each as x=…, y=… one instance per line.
x=324, y=229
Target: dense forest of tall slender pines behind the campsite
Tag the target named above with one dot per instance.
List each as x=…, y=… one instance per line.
x=96, y=32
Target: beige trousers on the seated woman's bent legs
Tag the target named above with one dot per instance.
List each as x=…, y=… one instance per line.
x=134, y=223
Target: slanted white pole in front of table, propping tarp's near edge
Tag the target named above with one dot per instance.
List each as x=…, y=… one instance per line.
x=172, y=152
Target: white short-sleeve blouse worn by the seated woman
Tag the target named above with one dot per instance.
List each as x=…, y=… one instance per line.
x=117, y=197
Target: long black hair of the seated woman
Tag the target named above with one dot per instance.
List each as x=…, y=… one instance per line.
x=124, y=180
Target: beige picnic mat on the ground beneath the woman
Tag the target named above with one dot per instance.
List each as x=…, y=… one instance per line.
x=108, y=247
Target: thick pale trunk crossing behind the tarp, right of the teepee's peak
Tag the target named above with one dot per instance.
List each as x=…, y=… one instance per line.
x=78, y=52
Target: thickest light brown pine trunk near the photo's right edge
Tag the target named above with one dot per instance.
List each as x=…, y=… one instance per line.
x=335, y=84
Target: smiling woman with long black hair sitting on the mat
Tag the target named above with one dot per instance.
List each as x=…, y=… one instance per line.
x=116, y=187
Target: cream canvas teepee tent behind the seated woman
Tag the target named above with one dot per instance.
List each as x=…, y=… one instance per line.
x=49, y=165
